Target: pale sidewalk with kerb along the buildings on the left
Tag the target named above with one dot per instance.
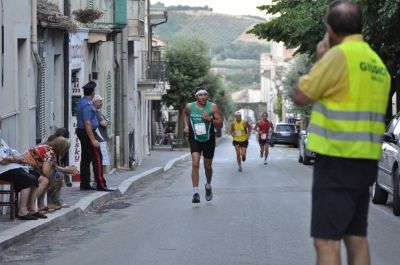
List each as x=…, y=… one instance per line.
x=159, y=161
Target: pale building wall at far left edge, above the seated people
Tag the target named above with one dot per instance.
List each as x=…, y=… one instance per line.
x=17, y=87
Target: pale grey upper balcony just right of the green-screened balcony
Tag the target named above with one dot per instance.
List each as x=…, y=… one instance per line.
x=136, y=19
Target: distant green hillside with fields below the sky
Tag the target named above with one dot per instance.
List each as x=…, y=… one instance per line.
x=235, y=54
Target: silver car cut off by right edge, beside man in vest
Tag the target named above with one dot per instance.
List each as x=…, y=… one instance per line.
x=388, y=181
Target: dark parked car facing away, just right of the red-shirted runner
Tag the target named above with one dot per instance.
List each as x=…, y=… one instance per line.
x=285, y=133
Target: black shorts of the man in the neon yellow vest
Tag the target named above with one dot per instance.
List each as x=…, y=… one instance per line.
x=340, y=196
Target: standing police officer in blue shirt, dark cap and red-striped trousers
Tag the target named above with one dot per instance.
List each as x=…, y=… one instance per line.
x=90, y=148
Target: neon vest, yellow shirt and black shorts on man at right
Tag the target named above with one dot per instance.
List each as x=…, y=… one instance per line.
x=349, y=86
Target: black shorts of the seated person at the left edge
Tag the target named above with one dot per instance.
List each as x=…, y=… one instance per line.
x=20, y=178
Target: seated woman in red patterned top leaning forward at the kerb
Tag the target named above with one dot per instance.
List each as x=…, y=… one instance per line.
x=42, y=162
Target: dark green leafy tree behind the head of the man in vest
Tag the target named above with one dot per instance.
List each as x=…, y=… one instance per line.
x=299, y=24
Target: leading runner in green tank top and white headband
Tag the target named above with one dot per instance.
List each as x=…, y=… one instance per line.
x=203, y=117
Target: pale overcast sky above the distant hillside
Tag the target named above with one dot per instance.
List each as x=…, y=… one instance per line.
x=233, y=7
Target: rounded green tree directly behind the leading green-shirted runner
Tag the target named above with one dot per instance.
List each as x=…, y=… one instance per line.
x=190, y=67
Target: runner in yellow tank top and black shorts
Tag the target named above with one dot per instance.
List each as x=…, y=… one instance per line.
x=240, y=130
